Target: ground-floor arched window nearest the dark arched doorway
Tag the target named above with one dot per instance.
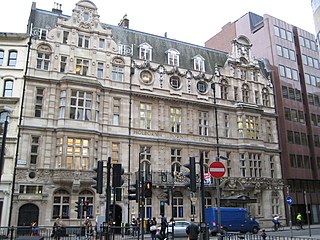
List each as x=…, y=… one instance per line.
x=61, y=204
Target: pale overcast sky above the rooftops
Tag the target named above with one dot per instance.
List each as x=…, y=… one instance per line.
x=189, y=21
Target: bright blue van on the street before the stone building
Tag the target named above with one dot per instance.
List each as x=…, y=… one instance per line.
x=232, y=220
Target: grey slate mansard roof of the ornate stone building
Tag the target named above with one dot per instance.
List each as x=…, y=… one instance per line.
x=48, y=20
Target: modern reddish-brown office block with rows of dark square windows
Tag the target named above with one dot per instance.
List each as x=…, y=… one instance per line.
x=294, y=59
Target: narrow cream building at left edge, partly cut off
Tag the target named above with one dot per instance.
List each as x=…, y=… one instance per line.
x=13, y=54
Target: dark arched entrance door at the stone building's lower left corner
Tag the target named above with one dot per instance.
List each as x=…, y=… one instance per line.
x=27, y=214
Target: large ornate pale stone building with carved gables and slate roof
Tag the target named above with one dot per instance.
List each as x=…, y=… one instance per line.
x=95, y=91
